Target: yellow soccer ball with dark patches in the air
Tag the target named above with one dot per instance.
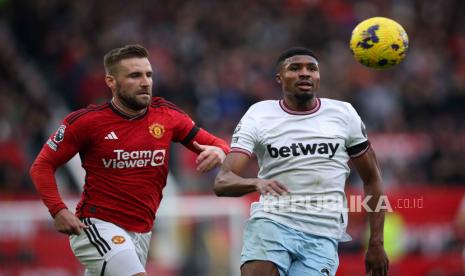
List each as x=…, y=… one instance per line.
x=379, y=42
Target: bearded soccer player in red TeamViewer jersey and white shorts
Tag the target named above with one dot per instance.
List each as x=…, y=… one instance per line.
x=124, y=146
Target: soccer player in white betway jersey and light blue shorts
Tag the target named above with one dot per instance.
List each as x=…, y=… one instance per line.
x=302, y=143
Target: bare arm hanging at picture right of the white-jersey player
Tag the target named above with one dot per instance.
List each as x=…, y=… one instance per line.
x=376, y=260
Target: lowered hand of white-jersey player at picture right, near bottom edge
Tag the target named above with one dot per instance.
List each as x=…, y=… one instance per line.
x=376, y=261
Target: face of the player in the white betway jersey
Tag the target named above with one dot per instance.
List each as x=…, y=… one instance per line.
x=300, y=77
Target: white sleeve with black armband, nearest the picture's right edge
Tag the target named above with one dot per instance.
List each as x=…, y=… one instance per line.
x=357, y=140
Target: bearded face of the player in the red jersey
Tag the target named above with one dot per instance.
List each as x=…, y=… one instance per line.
x=133, y=83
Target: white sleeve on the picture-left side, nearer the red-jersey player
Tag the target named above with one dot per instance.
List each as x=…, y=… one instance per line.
x=245, y=135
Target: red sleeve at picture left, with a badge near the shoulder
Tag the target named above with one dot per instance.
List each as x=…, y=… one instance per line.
x=58, y=149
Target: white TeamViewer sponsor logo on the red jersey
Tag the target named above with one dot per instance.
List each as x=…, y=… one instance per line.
x=135, y=159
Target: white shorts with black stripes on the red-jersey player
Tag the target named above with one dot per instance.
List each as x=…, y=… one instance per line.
x=107, y=249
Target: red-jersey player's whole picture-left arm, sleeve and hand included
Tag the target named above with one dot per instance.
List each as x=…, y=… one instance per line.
x=61, y=146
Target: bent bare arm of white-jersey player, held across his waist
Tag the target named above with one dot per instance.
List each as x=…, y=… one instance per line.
x=229, y=182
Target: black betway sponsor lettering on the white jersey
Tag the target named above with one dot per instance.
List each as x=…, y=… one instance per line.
x=297, y=149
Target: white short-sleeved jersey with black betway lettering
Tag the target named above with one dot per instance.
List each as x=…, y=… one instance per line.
x=308, y=153
